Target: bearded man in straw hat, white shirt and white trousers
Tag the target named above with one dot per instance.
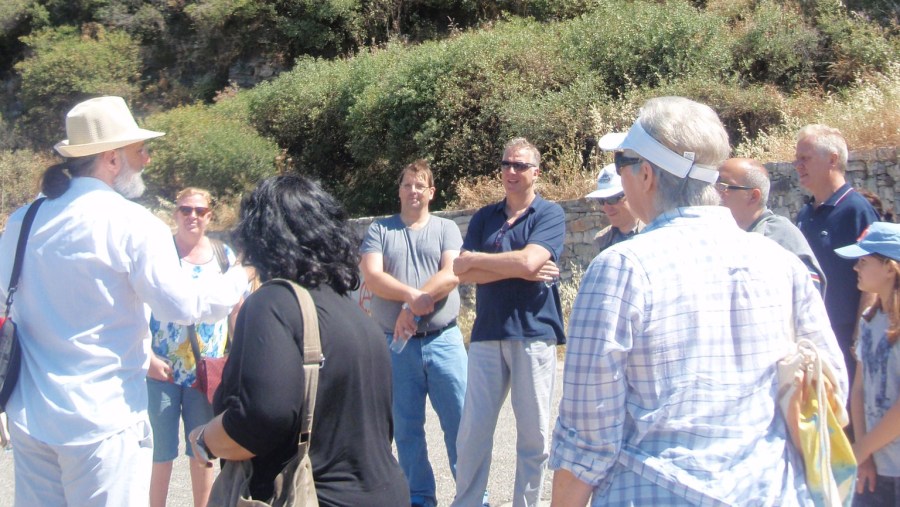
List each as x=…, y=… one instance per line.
x=95, y=265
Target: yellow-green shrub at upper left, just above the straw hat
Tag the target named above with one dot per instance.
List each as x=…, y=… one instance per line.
x=67, y=67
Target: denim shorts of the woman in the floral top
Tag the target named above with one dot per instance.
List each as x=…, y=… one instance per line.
x=168, y=403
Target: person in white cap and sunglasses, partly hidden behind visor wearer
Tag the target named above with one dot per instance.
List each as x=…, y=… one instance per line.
x=611, y=198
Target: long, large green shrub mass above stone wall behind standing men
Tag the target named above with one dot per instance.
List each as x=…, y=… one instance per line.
x=353, y=123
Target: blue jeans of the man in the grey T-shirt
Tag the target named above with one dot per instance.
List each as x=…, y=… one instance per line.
x=434, y=366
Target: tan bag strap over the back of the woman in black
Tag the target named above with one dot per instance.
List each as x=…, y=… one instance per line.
x=313, y=359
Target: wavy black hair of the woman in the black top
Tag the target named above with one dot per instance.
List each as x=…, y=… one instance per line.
x=291, y=228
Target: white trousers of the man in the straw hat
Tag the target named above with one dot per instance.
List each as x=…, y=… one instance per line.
x=114, y=472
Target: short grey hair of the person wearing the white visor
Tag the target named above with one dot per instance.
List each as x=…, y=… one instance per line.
x=683, y=125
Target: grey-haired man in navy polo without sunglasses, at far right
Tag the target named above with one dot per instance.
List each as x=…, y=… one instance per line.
x=836, y=218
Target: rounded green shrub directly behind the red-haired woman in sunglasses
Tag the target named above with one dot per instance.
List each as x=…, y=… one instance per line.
x=205, y=147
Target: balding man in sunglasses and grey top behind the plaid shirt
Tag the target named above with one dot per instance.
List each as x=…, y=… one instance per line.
x=744, y=186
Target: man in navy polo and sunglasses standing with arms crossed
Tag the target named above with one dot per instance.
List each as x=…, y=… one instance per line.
x=510, y=252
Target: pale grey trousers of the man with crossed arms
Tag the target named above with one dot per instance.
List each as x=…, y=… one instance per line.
x=527, y=368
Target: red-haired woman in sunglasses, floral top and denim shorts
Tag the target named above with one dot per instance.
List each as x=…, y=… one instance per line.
x=172, y=366
